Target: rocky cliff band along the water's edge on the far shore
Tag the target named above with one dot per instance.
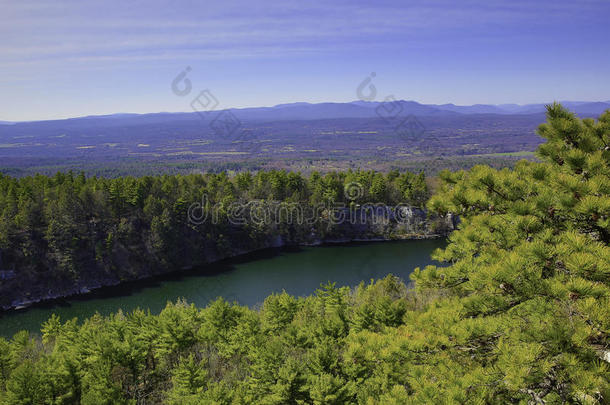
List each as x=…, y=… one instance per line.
x=138, y=258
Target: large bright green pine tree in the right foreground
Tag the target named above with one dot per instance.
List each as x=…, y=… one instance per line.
x=528, y=285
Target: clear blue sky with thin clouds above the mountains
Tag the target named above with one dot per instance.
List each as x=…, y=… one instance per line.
x=73, y=58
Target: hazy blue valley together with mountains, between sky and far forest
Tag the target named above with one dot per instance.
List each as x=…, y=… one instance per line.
x=359, y=131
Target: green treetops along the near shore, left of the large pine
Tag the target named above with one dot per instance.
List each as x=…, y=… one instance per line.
x=335, y=347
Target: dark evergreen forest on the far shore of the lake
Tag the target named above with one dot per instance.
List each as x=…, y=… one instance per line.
x=68, y=231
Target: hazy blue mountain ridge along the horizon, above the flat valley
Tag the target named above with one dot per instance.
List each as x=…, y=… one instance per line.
x=360, y=109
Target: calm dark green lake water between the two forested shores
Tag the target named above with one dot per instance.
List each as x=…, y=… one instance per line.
x=247, y=280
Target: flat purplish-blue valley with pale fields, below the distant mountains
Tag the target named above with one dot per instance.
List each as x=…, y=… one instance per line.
x=186, y=143
